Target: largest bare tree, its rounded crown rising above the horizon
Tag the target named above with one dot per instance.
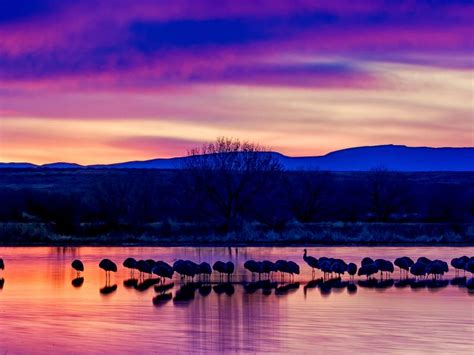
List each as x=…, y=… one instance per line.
x=228, y=173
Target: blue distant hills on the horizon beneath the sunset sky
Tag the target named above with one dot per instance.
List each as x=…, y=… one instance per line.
x=392, y=157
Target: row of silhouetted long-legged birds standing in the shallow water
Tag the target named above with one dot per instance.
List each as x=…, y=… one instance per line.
x=421, y=268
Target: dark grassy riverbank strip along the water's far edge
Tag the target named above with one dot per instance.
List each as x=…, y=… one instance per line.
x=250, y=234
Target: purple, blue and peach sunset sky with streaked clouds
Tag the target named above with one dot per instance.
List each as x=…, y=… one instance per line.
x=109, y=81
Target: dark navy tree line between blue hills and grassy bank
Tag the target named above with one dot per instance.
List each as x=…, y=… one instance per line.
x=227, y=183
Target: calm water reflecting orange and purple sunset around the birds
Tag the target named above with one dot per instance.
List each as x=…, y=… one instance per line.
x=42, y=312
